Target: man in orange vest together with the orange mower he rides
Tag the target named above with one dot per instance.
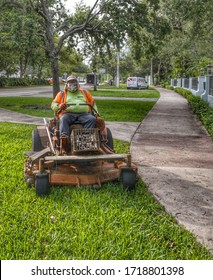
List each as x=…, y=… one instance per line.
x=75, y=148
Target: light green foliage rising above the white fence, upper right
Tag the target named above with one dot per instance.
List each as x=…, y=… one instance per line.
x=189, y=45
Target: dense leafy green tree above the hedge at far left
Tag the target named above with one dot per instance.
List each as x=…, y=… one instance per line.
x=20, y=41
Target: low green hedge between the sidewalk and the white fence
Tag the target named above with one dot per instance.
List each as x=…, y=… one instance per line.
x=200, y=107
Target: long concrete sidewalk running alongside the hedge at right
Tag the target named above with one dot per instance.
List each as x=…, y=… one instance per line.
x=174, y=155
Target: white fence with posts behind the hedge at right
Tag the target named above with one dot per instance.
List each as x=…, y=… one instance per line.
x=199, y=86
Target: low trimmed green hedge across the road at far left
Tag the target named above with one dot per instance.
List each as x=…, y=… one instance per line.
x=8, y=82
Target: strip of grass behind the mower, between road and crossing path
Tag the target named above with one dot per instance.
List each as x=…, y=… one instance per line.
x=113, y=110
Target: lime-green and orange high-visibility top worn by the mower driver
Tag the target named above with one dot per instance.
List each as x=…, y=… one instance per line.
x=75, y=99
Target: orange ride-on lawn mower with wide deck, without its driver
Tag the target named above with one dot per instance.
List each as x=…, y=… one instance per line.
x=88, y=158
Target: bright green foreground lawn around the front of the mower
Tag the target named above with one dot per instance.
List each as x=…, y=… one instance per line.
x=73, y=223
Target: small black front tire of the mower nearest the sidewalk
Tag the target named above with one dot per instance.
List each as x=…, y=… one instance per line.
x=128, y=178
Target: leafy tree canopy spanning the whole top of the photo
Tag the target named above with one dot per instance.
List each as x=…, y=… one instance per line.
x=170, y=36
